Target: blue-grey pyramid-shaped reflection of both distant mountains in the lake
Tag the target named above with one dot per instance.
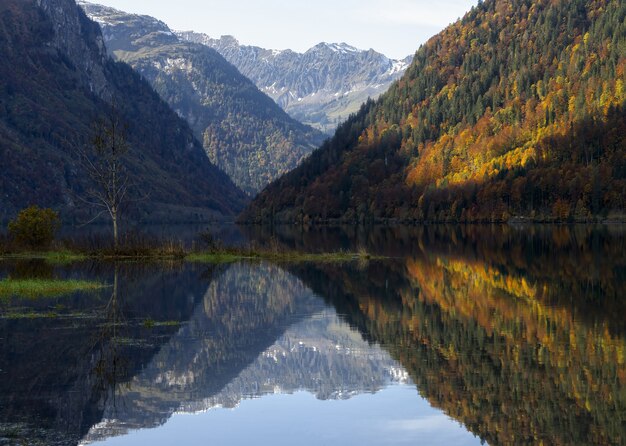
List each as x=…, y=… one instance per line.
x=258, y=331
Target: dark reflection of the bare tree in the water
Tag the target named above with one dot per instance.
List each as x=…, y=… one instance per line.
x=110, y=365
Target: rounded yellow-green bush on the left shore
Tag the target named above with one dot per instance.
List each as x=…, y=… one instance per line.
x=34, y=227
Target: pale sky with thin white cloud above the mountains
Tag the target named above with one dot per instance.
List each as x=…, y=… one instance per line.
x=395, y=28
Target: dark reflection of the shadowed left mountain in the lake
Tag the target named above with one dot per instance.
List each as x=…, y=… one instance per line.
x=55, y=373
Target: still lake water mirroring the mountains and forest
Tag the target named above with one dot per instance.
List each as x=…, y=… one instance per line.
x=462, y=335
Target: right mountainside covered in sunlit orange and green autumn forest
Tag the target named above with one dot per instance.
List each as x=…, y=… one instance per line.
x=517, y=110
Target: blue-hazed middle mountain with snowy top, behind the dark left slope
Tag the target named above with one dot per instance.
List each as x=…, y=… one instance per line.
x=243, y=131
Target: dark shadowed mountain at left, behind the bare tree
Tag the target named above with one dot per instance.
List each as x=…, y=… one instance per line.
x=55, y=81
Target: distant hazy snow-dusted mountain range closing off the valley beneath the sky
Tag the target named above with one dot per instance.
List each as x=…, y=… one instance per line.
x=320, y=87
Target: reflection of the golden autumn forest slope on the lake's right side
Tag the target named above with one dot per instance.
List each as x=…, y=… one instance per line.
x=523, y=343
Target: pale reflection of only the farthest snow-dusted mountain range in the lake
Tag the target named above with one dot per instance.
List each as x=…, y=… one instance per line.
x=320, y=355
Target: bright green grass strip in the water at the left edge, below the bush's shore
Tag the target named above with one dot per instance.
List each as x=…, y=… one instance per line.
x=33, y=288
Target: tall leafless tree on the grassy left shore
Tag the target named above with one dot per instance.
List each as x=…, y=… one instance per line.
x=103, y=162
